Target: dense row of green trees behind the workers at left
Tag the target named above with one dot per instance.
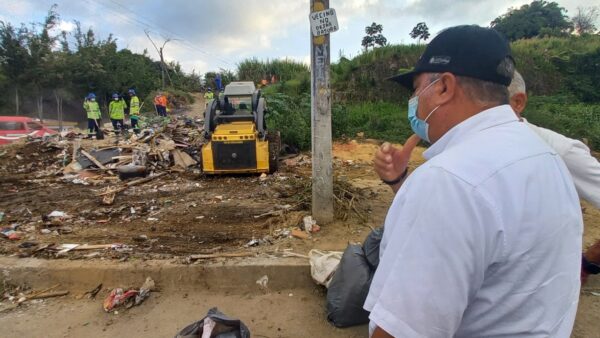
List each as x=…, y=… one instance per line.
x=40, y=69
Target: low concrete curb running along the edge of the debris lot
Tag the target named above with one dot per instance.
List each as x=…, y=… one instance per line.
x=233, y=275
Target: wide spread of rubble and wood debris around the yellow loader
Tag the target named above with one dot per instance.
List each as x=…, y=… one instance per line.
x=144, y=196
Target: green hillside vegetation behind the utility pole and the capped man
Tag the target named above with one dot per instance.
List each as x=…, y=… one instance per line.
x=561, y=74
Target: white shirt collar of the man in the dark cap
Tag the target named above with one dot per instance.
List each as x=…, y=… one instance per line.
x=486, y=119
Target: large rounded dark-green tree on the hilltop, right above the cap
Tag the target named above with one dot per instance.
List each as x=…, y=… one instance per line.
x=539, y=18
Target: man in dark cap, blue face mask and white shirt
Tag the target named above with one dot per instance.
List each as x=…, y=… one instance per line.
x=484, y=239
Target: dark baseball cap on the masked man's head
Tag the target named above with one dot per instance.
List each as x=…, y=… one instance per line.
x=468, y=50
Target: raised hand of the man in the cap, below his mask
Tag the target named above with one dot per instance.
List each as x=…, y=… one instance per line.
x=391, y=162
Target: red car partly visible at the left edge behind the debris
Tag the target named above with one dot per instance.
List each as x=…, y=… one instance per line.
x=13, y=128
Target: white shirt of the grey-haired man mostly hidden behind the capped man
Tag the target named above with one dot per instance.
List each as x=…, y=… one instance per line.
x=584, y=168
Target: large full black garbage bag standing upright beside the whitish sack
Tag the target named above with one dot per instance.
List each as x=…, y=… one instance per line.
x=349, y=288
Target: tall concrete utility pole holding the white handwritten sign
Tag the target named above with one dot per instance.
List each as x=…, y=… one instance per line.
x=322, y=166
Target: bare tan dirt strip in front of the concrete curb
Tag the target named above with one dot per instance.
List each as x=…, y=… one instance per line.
x=287, y=313
